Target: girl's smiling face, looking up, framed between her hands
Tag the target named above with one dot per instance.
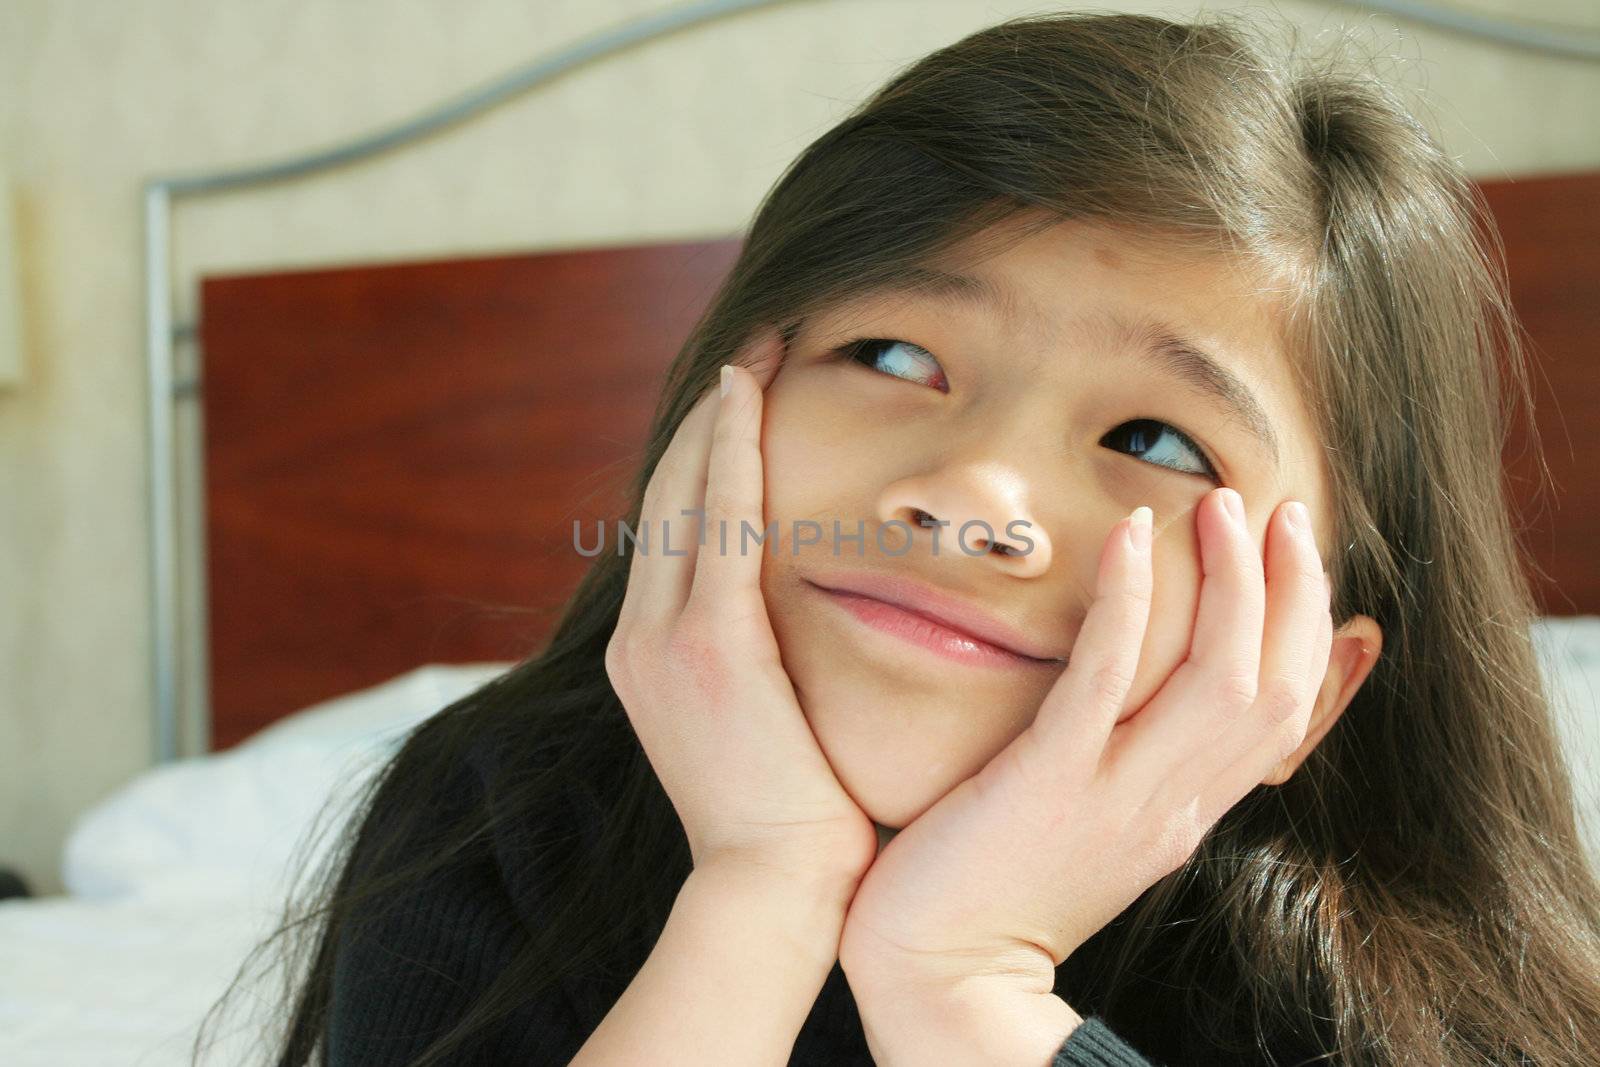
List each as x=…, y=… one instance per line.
x=1031, y=399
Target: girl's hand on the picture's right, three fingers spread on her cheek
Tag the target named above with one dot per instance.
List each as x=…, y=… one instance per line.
x=1020, y=865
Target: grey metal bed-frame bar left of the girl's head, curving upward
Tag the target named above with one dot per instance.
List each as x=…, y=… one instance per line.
x=161, y=334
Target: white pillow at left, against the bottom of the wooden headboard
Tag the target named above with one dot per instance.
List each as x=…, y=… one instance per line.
x=230, y=823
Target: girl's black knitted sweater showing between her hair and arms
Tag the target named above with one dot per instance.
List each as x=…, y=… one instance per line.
x=415, y=972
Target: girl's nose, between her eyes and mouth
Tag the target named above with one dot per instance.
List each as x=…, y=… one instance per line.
x=970, y=511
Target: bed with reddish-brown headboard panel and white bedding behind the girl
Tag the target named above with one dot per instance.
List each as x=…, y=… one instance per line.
x=406, y=537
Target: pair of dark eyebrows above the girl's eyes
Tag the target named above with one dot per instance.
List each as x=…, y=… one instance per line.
x=1154, y=343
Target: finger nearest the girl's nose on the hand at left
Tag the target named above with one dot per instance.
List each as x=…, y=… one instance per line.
x=727, y=575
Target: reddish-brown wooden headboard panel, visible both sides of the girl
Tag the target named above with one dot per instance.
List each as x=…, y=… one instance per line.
x=394, y=455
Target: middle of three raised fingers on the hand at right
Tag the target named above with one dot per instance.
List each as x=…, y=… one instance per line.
x=1217, y=684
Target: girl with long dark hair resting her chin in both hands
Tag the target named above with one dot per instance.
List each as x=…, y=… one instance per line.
x=970, y=762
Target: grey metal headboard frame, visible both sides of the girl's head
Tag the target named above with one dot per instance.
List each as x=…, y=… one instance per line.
x=162, y=334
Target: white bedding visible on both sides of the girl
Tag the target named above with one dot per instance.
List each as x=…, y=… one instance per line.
x=177, y=877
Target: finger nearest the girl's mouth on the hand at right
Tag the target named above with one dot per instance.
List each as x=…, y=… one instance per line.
x=1081, y=709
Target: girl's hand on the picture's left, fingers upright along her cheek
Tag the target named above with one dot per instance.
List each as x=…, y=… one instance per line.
x=697, y=665
